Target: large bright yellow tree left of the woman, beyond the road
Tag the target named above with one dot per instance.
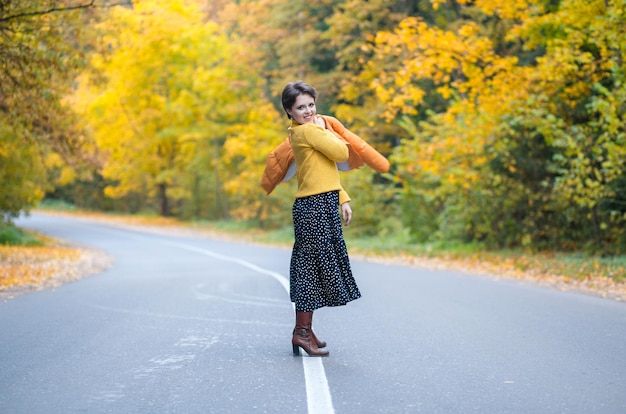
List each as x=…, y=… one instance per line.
x=168, y=99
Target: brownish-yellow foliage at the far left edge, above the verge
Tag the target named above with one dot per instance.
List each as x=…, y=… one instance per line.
x=38, y=133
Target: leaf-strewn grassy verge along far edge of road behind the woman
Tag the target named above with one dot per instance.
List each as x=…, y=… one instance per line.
x=604, y=275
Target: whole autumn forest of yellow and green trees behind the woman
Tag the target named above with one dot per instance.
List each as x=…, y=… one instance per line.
x=504, y=120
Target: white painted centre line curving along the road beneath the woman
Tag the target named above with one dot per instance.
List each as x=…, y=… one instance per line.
x=319, y=400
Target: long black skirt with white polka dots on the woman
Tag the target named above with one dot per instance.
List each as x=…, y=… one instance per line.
x=320, y=273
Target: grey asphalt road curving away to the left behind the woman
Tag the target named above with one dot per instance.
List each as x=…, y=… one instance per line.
x=194, y=325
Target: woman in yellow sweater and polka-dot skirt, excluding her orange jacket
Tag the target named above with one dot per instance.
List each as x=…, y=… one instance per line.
x=320, y=273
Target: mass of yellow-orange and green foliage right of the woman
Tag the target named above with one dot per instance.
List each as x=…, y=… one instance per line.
x=519, y=155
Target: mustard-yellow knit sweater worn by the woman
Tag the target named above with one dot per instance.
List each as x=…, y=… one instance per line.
x=317, y=151
